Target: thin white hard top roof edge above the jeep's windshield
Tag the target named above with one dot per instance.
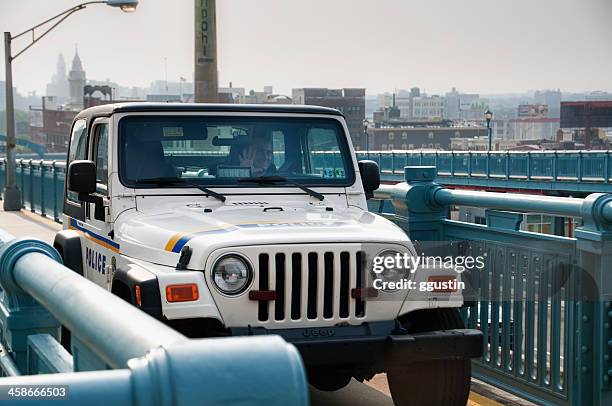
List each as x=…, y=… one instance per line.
x=108, y=109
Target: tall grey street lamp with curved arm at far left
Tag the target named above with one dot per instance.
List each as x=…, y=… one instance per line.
x=12, y=196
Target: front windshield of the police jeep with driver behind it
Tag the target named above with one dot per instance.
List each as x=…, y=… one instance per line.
x=223, y=150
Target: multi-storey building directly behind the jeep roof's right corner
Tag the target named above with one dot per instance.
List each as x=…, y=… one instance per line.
x=350, y=101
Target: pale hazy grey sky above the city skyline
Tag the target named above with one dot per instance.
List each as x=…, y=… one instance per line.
x=486, y=46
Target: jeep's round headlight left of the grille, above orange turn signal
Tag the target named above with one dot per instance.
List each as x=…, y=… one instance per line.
x=231, y=274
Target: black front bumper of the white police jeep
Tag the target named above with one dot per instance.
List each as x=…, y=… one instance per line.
x=376, y=345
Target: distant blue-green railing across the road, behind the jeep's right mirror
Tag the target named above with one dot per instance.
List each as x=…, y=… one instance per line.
x=587, y=171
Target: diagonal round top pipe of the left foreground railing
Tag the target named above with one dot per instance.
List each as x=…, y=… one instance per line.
x=61, y=291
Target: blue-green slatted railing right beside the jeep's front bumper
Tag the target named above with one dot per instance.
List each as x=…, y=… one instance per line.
x=543, y=302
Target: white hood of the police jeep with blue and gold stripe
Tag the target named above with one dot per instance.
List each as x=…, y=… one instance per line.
x=159, y=236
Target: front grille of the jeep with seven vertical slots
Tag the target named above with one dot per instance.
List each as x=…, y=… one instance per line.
x=316, y=285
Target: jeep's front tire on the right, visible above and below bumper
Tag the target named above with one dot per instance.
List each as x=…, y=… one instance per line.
x=432, y=383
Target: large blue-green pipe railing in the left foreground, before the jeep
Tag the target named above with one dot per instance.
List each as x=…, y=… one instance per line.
x=128, y=360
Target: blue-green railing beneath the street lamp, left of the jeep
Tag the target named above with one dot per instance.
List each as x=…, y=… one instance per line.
x=41, y=183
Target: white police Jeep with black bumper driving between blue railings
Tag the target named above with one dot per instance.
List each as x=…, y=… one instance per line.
x=243, y=220
